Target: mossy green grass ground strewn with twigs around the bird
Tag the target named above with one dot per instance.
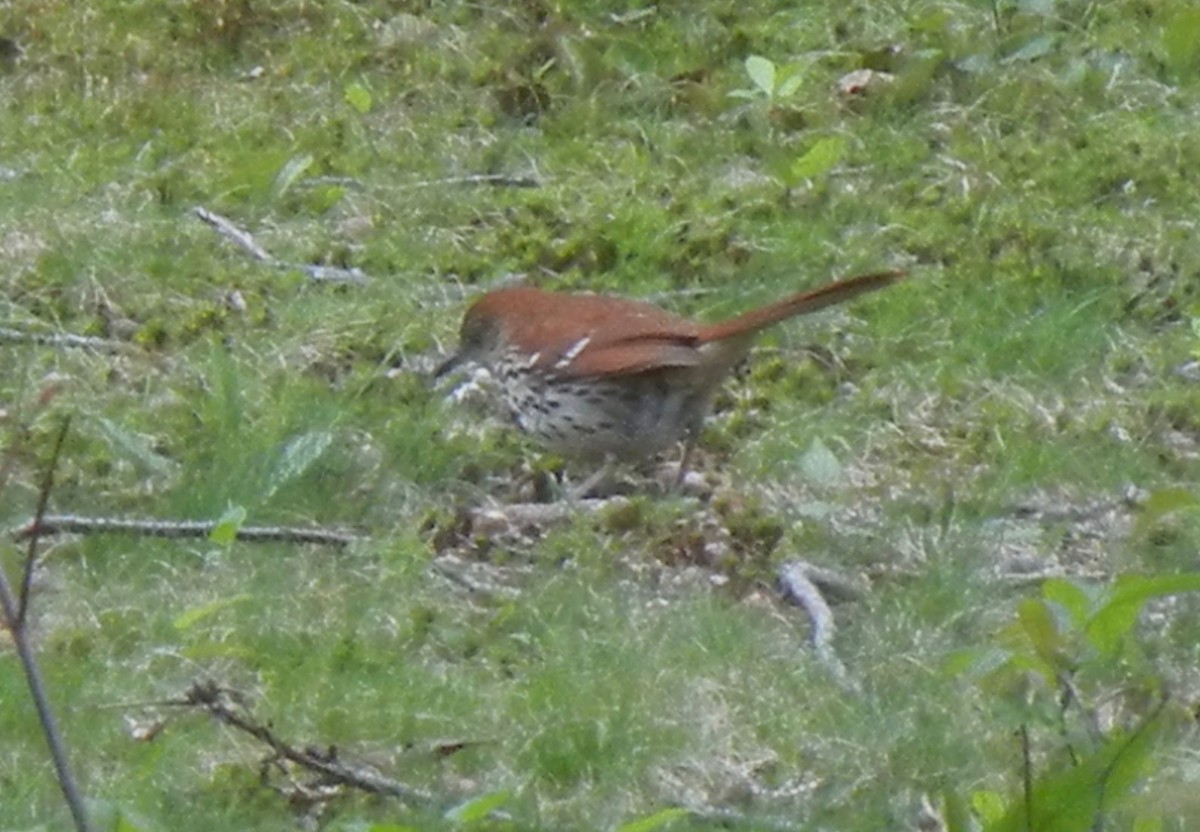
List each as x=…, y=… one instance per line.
x=1027, y=406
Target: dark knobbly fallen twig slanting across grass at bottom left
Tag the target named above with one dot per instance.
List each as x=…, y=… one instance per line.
x=225, y=707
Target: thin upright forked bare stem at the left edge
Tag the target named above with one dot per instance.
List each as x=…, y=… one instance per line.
x=16, y=621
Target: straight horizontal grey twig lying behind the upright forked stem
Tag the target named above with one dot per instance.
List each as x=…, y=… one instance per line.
x=74, y=524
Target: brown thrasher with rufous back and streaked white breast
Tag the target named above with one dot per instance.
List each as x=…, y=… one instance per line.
x=597, y=376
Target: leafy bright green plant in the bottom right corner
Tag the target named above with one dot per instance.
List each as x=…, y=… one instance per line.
x=1065, y=654
